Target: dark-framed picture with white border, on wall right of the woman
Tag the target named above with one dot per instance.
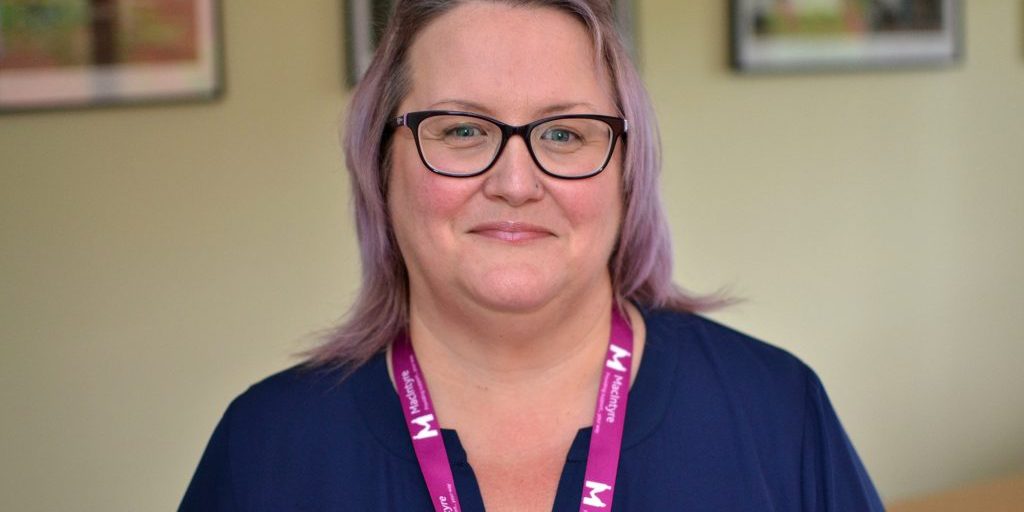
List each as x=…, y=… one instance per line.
x=809, y=35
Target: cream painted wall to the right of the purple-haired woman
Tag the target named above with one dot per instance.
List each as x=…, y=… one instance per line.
x=875, y=222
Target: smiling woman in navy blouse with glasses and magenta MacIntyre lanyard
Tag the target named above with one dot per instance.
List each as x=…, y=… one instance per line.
x=517, y=284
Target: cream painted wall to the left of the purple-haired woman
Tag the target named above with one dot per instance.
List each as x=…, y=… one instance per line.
x=157, y=261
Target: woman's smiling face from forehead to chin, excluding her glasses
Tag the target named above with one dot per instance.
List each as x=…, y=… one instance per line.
x=513, y=239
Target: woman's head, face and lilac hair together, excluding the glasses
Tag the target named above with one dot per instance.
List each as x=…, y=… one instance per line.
x=517, y=61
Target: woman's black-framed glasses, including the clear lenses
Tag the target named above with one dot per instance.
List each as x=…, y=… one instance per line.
x=464, y=145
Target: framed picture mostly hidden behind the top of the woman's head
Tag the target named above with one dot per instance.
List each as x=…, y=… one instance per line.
x=366, y=21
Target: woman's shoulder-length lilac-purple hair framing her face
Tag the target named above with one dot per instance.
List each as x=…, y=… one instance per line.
x=642, y=263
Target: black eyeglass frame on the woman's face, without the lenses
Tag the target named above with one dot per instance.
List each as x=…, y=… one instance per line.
x=619, y=126
